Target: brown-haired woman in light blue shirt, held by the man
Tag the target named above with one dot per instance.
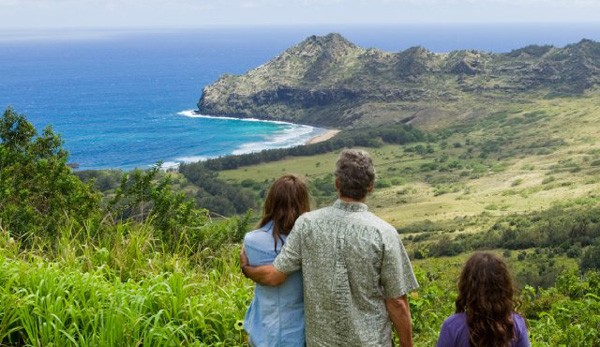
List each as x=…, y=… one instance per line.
x=276, y=315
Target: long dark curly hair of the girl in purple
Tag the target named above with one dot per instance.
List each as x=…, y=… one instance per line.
x=485, y=293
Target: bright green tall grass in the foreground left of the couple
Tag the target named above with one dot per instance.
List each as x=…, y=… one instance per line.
x=46, y=304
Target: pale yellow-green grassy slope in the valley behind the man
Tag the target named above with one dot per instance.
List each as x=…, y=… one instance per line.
x=539, y=159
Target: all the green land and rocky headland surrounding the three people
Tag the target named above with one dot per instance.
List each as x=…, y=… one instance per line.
x=140, y=258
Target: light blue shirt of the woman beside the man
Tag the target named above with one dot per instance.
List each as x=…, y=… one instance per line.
x=276, y=315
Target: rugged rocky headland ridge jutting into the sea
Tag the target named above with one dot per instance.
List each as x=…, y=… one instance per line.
x=328, y=81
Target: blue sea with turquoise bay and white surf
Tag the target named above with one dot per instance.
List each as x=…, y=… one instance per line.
x=123, y=99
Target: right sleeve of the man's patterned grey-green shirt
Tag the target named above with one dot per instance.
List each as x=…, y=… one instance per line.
x=397, y=277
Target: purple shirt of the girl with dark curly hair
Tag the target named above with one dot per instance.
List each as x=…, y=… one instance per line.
x=455, y=332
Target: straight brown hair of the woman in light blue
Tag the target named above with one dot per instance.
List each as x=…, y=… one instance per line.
x=287, y=199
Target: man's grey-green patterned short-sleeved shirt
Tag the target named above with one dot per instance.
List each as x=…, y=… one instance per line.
x=351, y=261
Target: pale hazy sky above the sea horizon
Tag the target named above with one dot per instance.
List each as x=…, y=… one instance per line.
x=61, y=14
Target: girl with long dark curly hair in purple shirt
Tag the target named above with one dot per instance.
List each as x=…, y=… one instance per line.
x=485, y=313
